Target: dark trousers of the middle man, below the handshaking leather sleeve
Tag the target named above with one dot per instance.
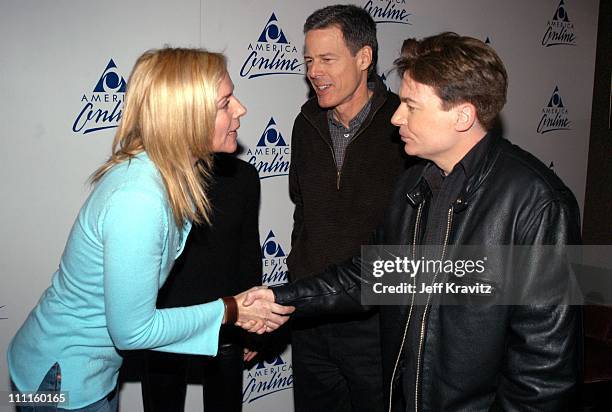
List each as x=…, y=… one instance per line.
x=337, y=365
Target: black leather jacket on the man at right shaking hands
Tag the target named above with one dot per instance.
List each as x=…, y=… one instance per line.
x=479, y=357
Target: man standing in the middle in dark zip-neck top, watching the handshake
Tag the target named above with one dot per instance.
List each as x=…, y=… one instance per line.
x=346, y=156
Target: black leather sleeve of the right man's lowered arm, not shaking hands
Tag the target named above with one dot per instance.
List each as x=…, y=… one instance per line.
x=543, y=358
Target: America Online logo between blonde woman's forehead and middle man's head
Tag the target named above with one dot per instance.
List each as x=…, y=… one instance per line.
x=272, y=54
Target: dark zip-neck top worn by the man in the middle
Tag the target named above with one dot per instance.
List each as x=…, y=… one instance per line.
x=337, y=210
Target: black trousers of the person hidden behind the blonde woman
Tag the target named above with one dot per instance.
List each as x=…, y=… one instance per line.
x=164, y=384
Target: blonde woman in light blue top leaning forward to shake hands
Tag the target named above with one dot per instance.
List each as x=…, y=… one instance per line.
x=179, y=109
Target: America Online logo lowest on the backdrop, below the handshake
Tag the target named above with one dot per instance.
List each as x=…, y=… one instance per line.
x=266, y=378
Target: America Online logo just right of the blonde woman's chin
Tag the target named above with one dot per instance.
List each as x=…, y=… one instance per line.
x=272, y=155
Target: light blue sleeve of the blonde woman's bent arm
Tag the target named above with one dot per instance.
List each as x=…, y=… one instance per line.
x=135, y=230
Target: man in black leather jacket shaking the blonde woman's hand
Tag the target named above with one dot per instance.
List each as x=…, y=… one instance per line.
x=472, y=188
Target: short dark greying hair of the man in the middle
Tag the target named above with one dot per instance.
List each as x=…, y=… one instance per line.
x=356, y=24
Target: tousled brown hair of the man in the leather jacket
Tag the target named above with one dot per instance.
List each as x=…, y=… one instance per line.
x=460, y=69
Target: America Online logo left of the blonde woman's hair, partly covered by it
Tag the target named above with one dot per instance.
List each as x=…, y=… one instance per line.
x=103, y=107
